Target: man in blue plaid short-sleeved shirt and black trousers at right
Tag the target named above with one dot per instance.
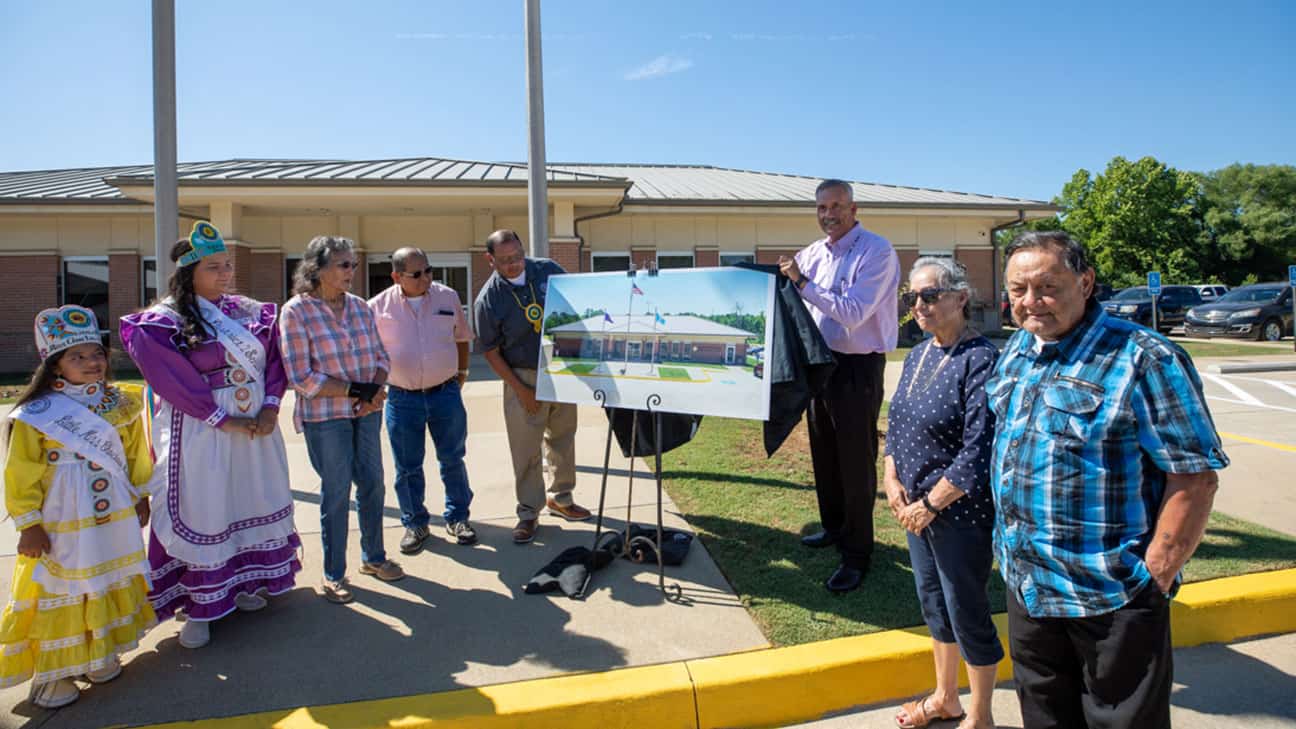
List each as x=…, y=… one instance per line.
x=1104, y=474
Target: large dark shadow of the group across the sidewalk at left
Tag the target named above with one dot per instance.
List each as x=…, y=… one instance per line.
x=401, y=639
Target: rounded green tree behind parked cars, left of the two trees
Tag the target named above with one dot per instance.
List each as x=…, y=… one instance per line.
x=1137, y=217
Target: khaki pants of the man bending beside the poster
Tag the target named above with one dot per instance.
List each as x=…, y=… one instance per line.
x=554, y=427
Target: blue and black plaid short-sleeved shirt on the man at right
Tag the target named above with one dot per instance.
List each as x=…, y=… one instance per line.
x=1087, y=430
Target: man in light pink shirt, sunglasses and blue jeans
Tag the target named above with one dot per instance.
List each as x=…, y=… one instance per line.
x=423, y=328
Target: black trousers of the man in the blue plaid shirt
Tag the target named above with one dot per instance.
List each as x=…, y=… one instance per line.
x=1113, y=671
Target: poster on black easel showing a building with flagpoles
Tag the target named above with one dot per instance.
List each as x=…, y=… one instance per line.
x=697, y=338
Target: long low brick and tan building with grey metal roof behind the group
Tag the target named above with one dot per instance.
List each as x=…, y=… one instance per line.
x=86, y=235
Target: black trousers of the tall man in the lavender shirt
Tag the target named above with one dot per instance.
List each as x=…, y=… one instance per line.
x=844, y=452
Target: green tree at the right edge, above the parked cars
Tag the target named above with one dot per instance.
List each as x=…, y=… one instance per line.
x=1249, y=222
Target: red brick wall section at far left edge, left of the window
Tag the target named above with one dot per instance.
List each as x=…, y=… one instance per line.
x=30, y=283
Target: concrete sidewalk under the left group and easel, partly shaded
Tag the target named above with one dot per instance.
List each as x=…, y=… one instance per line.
x=459, y=618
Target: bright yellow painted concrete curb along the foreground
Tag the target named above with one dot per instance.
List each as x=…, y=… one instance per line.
x=764, y=688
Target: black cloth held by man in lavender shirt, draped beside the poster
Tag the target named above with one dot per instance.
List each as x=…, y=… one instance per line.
x=799, y=363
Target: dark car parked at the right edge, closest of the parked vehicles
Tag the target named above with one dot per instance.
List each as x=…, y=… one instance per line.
x=1262, y=312
